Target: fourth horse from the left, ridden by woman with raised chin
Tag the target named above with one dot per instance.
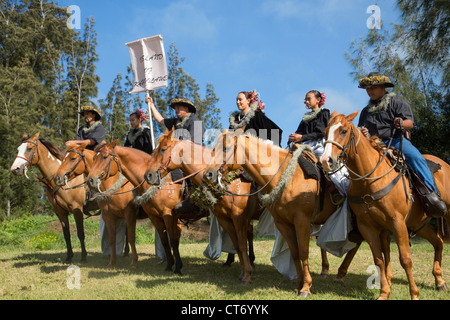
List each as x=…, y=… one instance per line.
x=234, y=213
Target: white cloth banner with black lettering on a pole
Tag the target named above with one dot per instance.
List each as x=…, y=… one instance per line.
x=148, y=61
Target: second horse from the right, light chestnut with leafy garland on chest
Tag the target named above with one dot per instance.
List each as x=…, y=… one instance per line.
x=291, y=198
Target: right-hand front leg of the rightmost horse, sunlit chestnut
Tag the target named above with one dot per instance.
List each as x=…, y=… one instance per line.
x=402, y=238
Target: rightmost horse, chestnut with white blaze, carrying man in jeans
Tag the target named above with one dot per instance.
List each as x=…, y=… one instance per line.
x=380, y=209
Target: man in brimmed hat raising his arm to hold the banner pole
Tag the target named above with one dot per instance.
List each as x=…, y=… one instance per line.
x=187, y=127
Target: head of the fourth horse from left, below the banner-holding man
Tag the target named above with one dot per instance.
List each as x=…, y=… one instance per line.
x=163, y=158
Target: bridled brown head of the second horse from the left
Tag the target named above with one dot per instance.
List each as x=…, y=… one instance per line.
x=73, y=165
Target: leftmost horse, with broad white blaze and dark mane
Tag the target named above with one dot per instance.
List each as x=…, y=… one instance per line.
x=47, y=157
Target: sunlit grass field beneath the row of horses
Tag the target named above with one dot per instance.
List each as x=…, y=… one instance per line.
x=31, y=273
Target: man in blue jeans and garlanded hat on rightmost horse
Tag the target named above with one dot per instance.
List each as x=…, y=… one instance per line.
x=385, y=112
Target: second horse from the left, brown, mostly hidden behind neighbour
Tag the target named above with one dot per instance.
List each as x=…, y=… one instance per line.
x=116, y=203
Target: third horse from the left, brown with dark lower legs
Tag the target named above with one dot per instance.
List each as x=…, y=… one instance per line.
x=157, y=204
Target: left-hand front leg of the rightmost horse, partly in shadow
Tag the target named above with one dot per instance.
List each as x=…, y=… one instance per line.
x=372, y=236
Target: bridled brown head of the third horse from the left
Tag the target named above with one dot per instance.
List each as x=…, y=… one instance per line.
x=105, y=164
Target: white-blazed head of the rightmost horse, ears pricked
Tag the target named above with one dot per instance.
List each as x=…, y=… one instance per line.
x=340, y=139
